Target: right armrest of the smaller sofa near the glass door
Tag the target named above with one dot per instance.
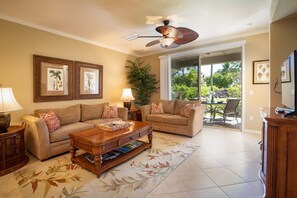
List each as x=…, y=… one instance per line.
x=195, y=120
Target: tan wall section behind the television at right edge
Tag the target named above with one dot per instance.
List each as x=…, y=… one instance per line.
x=283, y=40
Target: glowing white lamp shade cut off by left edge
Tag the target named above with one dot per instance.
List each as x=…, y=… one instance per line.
x=7, y=101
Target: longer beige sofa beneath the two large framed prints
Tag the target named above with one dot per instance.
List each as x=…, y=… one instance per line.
x=74, y=118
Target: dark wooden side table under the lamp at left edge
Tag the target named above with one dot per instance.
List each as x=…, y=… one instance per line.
x=12, y=150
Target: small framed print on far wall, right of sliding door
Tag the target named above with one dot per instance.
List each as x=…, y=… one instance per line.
x=261, y=72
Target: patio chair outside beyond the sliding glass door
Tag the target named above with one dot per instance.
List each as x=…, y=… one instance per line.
x=229, y=109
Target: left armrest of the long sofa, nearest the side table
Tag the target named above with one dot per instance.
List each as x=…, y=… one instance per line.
x=36, y=136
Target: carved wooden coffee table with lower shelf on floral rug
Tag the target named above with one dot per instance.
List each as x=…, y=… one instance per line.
x=98, y=142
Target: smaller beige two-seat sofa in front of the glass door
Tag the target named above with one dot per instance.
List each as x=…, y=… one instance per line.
x=171, y=121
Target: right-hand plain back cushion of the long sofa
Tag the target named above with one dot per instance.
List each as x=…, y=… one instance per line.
x=91, y=112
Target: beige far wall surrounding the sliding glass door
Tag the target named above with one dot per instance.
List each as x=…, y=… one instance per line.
x=256, y=48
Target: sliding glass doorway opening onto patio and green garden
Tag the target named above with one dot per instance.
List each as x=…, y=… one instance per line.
x=214, y=78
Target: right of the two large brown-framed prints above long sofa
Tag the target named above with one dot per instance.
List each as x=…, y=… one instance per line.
x=88, y=81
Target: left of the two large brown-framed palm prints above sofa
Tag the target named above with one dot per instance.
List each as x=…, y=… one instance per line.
x=52, y=79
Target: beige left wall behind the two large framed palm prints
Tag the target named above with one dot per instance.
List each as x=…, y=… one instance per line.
x=18, y=44
